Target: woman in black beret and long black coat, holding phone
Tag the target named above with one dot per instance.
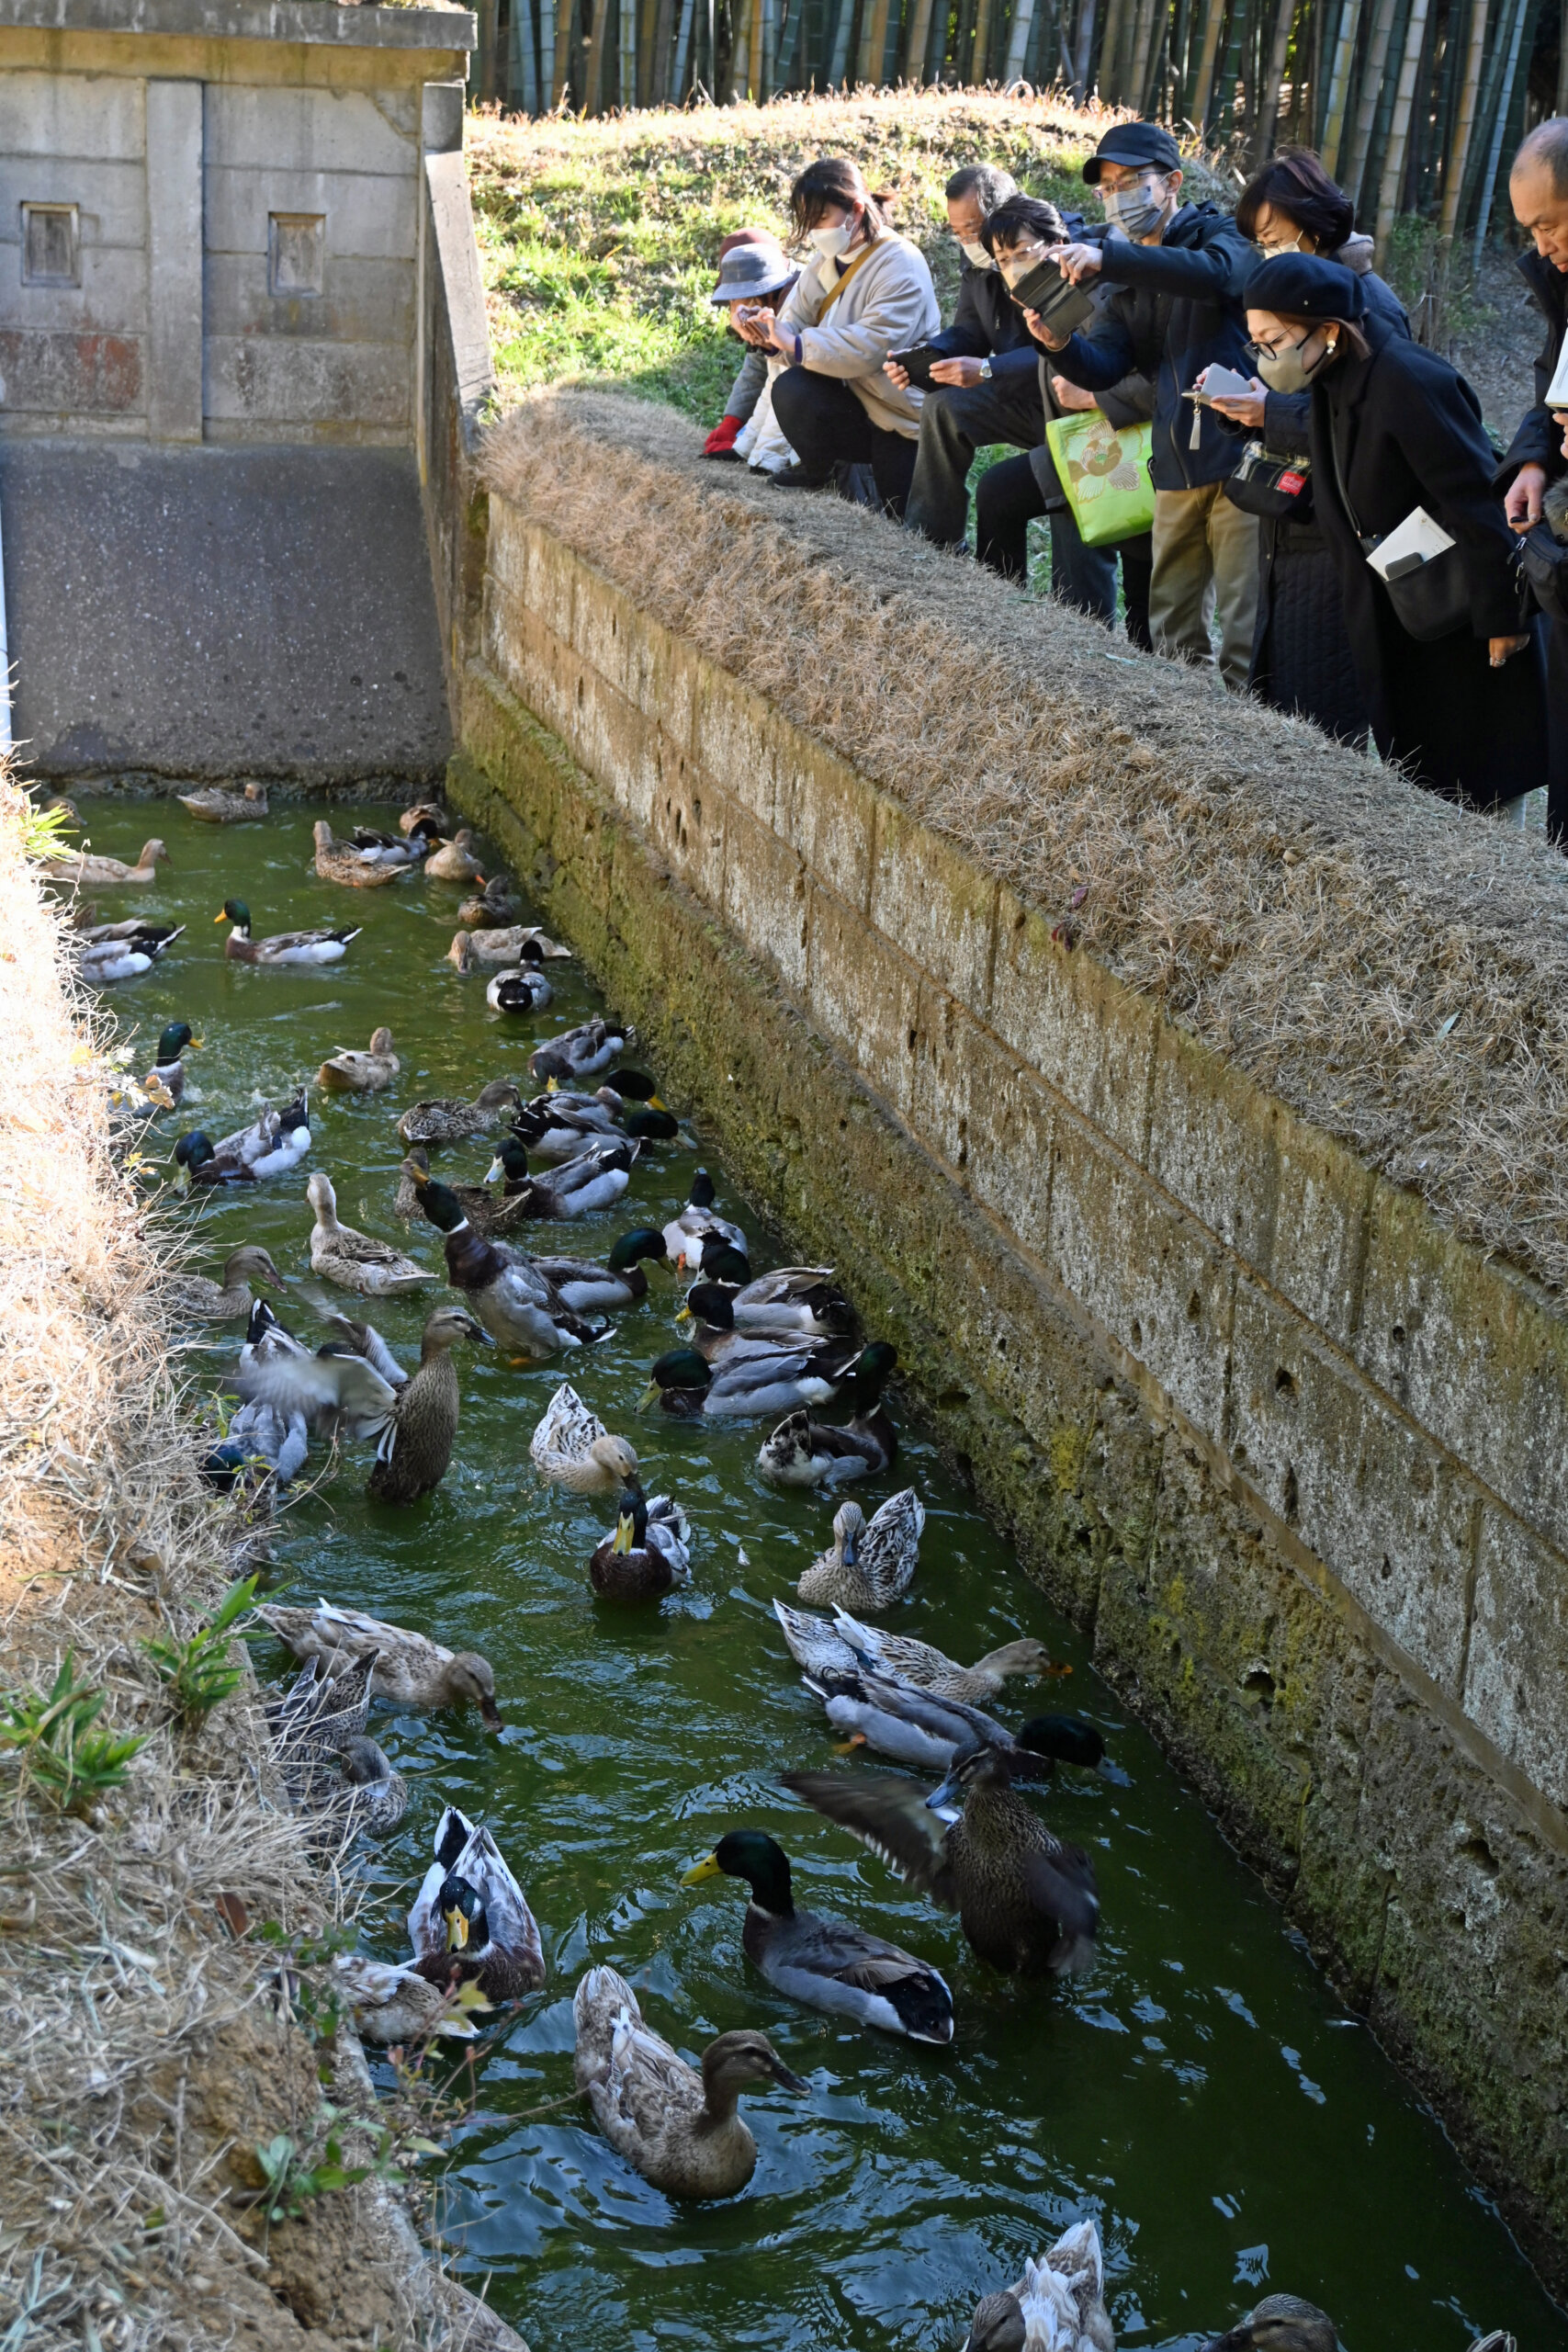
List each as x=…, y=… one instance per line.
x=1395, y=436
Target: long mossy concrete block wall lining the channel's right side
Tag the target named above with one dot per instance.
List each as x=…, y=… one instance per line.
x=1294, y=1452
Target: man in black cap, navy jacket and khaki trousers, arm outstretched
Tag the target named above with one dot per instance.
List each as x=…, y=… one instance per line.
x=1177, y=276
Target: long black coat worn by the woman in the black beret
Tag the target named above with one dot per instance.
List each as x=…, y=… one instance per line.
x=1409, y=434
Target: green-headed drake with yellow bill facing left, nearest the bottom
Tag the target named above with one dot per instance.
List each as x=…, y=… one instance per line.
x=826, y=1963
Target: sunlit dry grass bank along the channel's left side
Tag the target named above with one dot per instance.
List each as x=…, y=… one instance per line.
x=147, y=2052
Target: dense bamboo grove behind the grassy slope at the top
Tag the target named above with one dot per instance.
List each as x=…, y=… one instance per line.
x=1414, y=105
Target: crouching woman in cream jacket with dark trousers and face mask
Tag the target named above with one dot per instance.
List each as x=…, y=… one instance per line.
x=864, y=295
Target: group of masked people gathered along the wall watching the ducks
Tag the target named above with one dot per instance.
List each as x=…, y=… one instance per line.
x=1308, y=497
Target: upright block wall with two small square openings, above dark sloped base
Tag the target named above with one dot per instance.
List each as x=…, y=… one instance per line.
x=248, y=215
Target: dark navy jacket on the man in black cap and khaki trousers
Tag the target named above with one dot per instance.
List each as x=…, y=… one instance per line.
x=1174, y=309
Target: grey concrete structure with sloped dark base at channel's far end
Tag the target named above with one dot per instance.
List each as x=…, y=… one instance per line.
x=222, y=250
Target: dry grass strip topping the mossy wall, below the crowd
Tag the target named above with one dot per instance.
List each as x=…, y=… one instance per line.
x=1391, y=968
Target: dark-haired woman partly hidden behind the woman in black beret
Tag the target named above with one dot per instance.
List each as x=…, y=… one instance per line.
x=1301, y=653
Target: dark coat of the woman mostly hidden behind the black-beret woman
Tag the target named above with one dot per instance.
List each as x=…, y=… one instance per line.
x=1301, y=650
